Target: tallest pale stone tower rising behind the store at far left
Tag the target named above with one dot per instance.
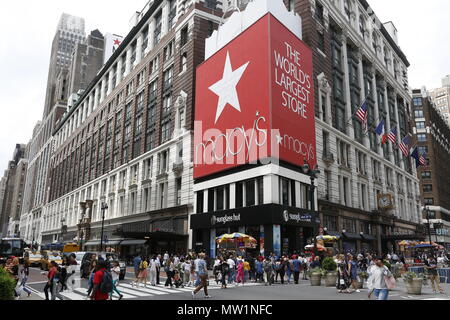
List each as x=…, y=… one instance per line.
x=69, y=32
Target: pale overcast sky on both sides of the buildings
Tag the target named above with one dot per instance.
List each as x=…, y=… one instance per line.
x=28, y=28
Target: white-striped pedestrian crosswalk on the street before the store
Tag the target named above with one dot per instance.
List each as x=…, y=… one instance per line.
x=130, y=292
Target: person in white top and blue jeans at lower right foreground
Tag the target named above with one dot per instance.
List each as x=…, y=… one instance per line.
x=377, y=280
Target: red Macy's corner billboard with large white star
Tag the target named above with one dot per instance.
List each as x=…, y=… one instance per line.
x=255, y=101
